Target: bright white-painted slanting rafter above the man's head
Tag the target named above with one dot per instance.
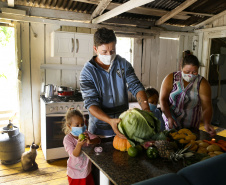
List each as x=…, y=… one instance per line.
x=121, y=9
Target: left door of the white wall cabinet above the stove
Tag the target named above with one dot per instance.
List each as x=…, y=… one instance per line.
x=62, y=44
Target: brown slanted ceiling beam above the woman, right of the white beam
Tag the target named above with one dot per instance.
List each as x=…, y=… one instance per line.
x=175, y=11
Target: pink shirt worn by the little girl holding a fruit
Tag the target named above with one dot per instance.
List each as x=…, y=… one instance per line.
x=77, y=167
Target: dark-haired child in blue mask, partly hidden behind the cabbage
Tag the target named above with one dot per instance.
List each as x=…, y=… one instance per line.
x=153, y=98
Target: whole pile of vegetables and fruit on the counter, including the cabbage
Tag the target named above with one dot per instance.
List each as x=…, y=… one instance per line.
x=142, y=130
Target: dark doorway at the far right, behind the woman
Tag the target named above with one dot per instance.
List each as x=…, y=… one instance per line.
x=217, y=80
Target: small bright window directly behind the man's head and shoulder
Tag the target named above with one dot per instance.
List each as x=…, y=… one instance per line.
x=124, y=48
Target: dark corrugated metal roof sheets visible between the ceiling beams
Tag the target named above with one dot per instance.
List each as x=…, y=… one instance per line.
x=201, y=6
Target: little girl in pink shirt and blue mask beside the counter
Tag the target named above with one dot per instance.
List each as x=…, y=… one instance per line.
x=78, y=165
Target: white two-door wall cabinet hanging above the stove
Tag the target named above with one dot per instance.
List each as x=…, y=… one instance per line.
x=67, y=44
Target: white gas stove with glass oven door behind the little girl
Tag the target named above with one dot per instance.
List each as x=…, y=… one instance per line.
x=53, y=111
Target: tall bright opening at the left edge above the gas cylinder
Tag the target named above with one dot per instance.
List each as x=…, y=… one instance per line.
x=8, y=77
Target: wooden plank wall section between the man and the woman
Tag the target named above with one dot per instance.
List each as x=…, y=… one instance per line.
x=162, y=56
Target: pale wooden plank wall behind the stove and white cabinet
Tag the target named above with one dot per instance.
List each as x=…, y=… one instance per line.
x=35, y=47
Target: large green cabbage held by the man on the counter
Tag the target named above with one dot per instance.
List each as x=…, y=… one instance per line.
x=138, y=126
